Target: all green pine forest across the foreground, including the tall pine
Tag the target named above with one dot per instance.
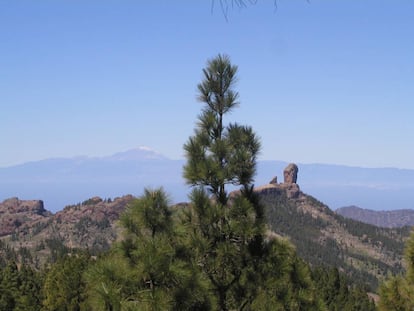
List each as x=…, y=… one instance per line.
x=216, y=253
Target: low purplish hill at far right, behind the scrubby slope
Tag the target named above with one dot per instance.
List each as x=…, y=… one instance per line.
x=389, y=219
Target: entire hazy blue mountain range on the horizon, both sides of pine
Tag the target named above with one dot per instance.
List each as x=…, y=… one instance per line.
x=62, y=181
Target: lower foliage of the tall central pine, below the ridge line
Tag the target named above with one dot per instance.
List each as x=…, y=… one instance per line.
x=220, y=238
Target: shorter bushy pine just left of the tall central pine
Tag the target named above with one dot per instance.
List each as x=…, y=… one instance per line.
x=149, y=269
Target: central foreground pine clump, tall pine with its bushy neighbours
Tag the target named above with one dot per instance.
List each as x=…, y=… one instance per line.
x=216, y=254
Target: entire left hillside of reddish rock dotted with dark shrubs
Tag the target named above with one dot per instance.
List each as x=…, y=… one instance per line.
x=35, y=238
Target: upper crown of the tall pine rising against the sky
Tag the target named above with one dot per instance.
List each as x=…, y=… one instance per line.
x=218, y=155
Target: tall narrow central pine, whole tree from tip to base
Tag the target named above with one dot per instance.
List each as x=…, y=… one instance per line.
x=219, y=155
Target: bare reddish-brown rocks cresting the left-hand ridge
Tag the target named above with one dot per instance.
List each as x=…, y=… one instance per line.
x=23, y=217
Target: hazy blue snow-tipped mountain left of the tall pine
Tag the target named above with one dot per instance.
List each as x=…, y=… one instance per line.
x=59, y=182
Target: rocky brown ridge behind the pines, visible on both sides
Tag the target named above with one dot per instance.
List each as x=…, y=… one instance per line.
x=365, y=252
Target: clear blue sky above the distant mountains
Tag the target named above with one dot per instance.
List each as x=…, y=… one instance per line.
x=319, y=81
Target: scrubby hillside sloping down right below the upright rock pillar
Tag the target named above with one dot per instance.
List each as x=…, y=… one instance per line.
x=365, y=253
